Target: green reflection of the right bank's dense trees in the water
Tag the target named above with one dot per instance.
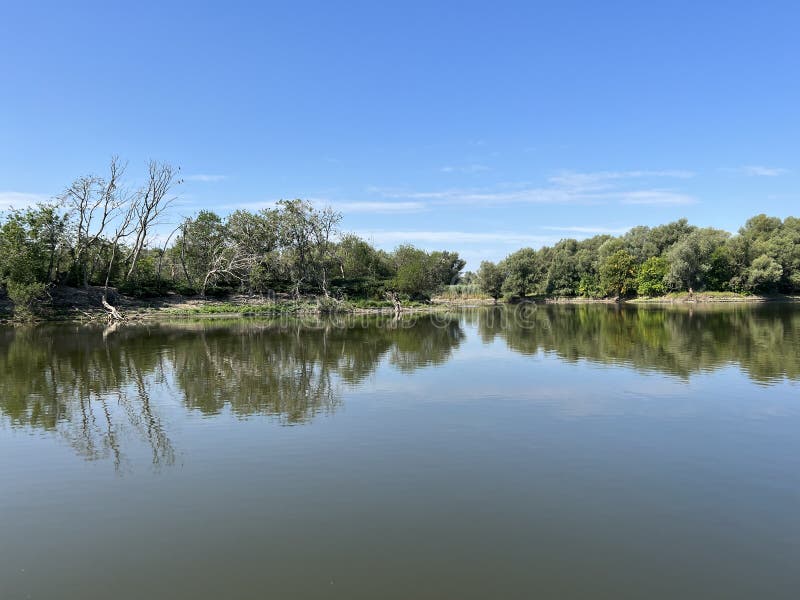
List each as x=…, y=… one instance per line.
x=764, y=341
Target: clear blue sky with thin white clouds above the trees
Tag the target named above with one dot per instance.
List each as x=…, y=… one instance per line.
x=475, y=126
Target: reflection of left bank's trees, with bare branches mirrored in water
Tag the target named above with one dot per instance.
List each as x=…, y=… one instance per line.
x=94, y=386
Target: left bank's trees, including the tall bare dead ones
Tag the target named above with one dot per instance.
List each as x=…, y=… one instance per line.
x=100, y=232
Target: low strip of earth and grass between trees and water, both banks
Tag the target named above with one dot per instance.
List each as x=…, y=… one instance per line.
x=85, y=305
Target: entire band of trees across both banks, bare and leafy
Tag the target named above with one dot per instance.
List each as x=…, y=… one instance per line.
x=100, y=232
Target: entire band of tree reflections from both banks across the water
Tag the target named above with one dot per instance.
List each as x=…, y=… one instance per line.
x=100, y=389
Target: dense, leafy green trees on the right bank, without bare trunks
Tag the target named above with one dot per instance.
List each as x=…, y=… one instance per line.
x=764, y=257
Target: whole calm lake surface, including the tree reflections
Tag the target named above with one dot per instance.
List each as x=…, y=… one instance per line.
x=542, y=452
